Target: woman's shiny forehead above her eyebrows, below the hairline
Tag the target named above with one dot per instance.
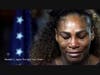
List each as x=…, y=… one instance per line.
x=72, y=22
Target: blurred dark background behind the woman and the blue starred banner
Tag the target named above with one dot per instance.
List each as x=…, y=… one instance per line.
x=39, y=18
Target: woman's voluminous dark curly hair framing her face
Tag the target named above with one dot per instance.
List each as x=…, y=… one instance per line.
x=47, y=48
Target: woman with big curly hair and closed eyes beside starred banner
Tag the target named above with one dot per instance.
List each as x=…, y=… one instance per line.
x=70, y=38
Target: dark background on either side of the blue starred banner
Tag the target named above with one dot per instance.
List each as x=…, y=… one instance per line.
x=6, y=24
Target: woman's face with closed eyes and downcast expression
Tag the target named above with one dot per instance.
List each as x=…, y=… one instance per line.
x=74, y=37
